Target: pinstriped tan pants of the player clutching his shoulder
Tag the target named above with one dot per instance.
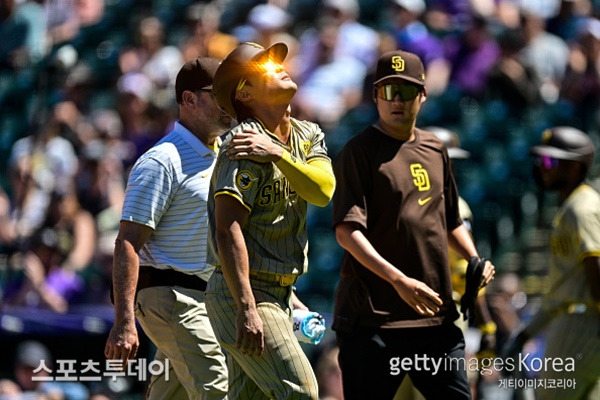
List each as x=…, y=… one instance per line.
x=283, y=371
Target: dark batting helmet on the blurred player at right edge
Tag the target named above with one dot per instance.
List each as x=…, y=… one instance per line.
x=566, y=143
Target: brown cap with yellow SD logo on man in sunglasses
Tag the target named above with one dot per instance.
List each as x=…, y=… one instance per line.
x=400, y=64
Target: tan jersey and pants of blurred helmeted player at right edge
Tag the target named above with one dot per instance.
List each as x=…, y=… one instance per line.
x=575, y=236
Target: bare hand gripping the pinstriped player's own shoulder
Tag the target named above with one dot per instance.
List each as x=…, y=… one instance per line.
x=252, y=145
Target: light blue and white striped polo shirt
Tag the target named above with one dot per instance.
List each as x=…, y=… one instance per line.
x=168, y=191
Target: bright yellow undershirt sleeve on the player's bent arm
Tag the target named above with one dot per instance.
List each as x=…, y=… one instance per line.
x=313, y=181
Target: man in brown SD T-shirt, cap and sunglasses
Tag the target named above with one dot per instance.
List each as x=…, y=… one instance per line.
x=395, y=212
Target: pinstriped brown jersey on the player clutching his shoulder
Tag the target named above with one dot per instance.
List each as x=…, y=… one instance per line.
x=275, y=233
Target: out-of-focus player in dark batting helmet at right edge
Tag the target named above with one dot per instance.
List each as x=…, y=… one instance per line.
x=570, y=310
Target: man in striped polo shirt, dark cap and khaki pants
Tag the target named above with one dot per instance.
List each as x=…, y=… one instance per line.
x=160, y=268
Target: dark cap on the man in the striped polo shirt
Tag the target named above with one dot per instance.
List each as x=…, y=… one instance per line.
x=195, y=75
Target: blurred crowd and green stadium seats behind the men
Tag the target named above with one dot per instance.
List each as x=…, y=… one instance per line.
x=86, y=86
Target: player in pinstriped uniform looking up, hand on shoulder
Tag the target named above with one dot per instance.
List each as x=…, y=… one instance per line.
x=257, y=213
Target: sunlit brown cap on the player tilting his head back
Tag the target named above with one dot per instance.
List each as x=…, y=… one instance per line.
x=242, y=61
